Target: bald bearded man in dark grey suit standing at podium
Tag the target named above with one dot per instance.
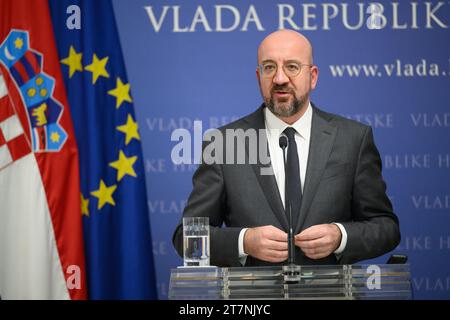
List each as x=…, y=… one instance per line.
x=340, y=210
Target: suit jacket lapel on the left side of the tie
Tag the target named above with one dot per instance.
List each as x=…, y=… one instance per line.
x=268, y=182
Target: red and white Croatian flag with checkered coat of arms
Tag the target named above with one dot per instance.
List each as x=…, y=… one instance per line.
x=41, y=244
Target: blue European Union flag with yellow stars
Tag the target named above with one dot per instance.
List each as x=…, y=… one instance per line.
x=117, y=238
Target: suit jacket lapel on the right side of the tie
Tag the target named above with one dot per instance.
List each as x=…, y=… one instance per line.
x=322, y=138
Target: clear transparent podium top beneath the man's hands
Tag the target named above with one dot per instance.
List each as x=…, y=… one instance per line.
x=347, y=282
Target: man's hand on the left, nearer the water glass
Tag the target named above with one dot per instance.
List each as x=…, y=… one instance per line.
x=266, y=243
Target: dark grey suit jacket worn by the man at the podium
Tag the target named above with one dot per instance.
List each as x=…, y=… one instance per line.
x=343, y=184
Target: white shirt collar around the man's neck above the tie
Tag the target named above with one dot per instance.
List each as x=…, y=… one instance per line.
x=302, y=125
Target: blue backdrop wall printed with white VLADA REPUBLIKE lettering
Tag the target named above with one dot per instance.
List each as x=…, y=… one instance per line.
x=189, y=60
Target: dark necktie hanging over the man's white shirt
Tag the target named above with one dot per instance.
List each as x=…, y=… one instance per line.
x=293, y=186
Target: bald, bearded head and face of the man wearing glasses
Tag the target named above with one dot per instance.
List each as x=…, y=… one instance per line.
x=284, y=94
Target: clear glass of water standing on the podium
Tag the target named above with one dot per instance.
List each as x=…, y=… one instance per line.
x=196, y=241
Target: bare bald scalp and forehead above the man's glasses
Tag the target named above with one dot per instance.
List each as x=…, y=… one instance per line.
x=286, y=41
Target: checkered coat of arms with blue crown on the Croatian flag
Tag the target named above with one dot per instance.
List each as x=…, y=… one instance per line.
x=29, y=114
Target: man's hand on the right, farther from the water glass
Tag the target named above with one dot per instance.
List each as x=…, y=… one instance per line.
x=319, y=241
